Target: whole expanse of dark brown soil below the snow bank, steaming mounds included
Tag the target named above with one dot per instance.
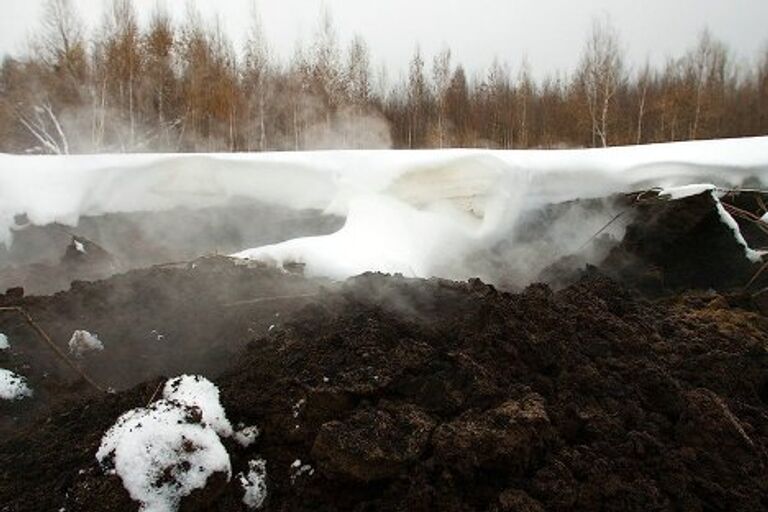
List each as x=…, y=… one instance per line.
x=403, y=394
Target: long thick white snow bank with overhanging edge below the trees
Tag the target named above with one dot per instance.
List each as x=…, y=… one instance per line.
x=420, y=213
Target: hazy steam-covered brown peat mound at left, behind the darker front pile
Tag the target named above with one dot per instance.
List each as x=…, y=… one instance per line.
x=160, y=321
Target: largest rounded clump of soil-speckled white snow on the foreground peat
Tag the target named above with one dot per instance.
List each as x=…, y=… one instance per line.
x=165, y=451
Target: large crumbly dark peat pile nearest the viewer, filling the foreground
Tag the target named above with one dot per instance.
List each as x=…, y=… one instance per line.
x=403, y=394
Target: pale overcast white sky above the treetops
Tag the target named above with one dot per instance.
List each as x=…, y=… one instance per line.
x=549, y=32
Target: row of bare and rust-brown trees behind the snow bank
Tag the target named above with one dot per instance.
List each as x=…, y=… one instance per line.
x=183, y=86
